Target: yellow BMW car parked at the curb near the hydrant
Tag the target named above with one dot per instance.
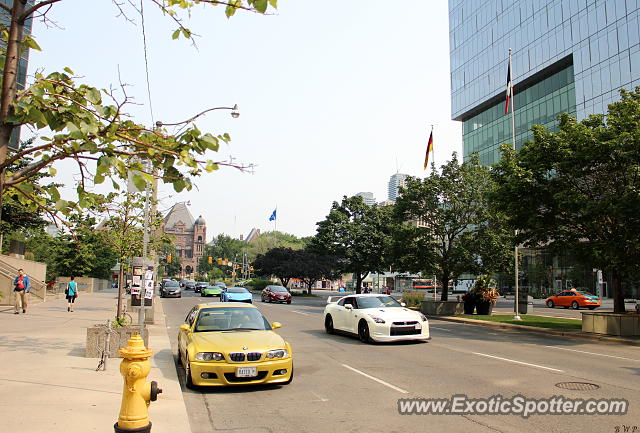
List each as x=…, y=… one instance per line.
x=232, y=344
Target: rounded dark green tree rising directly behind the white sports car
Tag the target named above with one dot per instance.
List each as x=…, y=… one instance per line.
x=357, y=235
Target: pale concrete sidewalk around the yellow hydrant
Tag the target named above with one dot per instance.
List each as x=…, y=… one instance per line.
x=48, y=385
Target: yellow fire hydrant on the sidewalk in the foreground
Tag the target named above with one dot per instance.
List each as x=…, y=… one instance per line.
x=137, y=393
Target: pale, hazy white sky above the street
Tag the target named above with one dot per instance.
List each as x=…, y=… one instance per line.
x=334, y=96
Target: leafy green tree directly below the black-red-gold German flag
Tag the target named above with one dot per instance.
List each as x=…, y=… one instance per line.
x=446, y=226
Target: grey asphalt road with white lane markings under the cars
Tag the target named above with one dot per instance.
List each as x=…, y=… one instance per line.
x=342, y=385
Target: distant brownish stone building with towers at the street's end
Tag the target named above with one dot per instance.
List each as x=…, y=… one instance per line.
x=190, y=236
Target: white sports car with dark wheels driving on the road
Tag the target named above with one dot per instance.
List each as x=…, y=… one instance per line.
x=375, y=318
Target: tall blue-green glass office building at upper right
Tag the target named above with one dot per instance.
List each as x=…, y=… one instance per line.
x=568, y=56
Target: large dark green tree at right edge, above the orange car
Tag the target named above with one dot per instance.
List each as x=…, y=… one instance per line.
x=578, y=189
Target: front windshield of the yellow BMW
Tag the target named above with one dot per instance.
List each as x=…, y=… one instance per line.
x=231, y=319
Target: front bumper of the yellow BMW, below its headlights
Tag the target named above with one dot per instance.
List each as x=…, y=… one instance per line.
x=225, y=372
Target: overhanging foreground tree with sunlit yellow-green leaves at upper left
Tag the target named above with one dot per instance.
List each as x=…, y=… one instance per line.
x=89, y=125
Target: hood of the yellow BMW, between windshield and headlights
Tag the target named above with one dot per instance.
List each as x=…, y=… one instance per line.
x=237, y=341
